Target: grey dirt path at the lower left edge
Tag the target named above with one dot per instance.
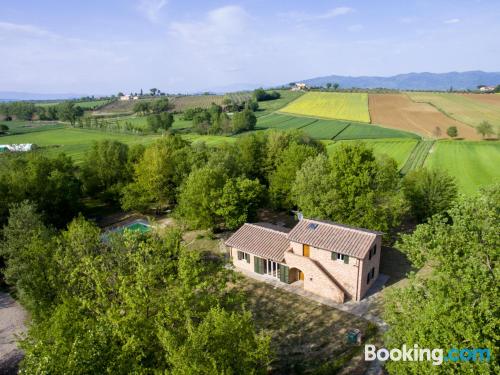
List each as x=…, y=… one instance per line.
x=12, y=318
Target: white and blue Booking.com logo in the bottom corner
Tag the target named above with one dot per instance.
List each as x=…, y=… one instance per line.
x=437, y=356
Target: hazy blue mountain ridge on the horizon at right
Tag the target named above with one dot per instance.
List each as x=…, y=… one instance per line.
x=413, y=81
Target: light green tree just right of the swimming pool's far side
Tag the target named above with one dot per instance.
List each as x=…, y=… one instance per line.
x=158, y=174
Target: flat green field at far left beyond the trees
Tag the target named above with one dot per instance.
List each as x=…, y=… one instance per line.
x=73, y=142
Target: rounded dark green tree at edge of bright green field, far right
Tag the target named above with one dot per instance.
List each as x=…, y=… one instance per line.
x=429, y=192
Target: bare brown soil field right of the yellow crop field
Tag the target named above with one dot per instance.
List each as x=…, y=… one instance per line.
x=399, y=112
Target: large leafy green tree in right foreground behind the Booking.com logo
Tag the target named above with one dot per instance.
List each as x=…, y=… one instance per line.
x=462, y=287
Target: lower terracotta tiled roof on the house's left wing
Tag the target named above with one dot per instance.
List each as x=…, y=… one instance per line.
x=266, y=241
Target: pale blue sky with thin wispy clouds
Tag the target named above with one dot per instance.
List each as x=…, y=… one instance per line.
x=180, y=46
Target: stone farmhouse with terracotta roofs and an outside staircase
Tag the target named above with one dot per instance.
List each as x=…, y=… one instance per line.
x=328, y=259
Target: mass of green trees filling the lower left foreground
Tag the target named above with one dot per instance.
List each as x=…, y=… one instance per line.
x=132, y=303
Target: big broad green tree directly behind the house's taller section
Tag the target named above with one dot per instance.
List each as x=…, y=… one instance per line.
x=353, y=188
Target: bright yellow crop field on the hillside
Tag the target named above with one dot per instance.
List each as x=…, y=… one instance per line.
x=342, y=106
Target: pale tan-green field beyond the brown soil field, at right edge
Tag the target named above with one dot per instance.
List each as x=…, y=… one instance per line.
x=463, y=108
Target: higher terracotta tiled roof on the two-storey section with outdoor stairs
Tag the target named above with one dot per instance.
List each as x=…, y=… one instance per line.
x=335, y=237
